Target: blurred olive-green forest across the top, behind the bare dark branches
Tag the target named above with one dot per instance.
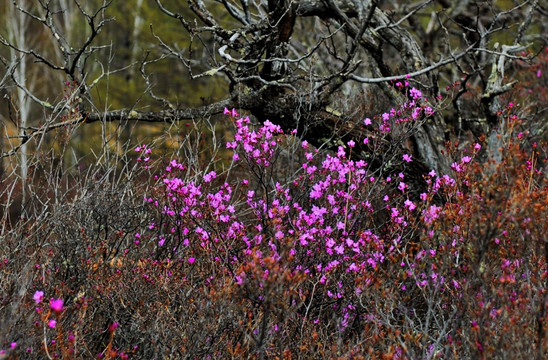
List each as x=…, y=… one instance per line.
x=141, y=59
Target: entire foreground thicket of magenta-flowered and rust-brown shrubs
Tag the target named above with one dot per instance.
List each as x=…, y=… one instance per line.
x=277, y=249
